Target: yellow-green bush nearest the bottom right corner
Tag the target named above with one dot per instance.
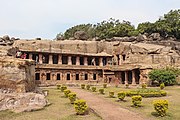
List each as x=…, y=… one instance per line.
x=161, y=107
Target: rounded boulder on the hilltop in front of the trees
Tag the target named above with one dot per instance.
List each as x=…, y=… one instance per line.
x=81, y=35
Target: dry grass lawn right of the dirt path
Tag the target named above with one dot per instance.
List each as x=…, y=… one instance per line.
x=147, y=109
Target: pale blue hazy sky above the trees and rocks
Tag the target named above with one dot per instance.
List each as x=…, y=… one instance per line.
x=29, y=19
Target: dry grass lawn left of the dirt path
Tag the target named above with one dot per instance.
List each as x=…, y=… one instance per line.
x=60, y=109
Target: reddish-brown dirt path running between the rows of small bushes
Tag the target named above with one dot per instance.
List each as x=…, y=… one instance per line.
x=106, y=109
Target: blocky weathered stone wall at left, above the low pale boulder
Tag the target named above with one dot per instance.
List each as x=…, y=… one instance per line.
x=17, y=74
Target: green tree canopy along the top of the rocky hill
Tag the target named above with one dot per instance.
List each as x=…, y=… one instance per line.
x=166, y=26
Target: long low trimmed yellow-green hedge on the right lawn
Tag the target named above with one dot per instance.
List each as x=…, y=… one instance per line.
x=147, y=93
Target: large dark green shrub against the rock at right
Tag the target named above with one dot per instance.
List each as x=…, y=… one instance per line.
x=165, y=76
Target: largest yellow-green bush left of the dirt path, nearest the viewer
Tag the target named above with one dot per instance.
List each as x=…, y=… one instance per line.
x=80, y=107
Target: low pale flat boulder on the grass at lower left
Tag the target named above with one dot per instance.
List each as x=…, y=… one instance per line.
x=21, y=102
